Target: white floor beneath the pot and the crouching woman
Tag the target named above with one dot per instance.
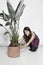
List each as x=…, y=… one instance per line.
x=26, y=57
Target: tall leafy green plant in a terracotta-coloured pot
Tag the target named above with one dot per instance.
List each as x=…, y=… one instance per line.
x=12, y=20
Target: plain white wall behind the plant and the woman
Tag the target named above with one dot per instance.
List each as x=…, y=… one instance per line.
x=32, y=17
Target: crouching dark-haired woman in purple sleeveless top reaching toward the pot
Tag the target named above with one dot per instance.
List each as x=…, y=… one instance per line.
x=30, y=38
